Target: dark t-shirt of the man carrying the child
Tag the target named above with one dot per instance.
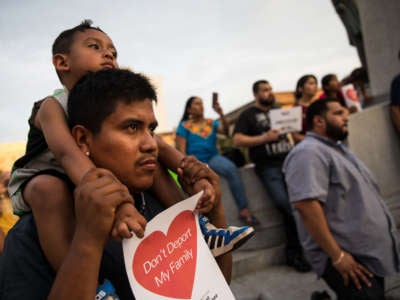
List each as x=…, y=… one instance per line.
x=25, y=272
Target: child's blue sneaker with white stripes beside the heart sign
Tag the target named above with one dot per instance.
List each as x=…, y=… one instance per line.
x=221, y=240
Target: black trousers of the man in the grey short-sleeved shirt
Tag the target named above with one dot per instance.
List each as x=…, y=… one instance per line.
x=335, y=281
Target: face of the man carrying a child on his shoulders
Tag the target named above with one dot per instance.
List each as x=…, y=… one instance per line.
x=126, y=146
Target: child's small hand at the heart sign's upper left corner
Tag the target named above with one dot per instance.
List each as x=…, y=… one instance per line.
x=128, y=219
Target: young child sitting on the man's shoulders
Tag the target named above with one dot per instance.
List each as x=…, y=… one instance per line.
x=52, y=154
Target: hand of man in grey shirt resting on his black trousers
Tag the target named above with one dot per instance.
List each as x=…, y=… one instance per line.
x=352, y=270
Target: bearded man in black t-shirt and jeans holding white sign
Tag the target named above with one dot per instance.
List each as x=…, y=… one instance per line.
x=268, y=149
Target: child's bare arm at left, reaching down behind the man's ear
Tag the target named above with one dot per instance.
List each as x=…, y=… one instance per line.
x=52, y=121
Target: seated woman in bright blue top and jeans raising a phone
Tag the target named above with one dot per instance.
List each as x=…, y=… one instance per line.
x=197, y=136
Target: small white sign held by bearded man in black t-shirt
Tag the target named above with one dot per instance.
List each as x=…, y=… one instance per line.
x=286, y=120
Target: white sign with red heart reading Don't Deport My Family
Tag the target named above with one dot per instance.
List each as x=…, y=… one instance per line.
x=172, y=260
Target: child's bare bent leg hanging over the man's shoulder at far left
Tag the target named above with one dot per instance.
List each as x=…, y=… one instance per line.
x=52, y=205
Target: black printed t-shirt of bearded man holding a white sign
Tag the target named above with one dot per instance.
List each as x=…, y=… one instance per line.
x=253, y=122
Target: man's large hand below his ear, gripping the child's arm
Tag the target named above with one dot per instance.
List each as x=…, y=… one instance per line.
x=97, y=197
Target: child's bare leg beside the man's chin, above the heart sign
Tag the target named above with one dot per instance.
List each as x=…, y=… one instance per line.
x=165, y=188
